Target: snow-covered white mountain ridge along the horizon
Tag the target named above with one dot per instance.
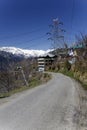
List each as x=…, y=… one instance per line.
x=26, y=53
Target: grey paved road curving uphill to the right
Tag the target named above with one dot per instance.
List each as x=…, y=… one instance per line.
x=47, y=107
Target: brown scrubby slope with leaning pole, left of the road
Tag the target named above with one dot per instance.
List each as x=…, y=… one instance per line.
x=21, y=76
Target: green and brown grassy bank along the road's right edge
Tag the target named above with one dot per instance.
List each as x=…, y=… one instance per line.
x=76, y=71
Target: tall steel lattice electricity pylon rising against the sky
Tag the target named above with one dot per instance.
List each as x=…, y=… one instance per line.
x=56, y=34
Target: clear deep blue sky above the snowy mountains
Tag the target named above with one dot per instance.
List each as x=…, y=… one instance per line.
x=24, y=23
